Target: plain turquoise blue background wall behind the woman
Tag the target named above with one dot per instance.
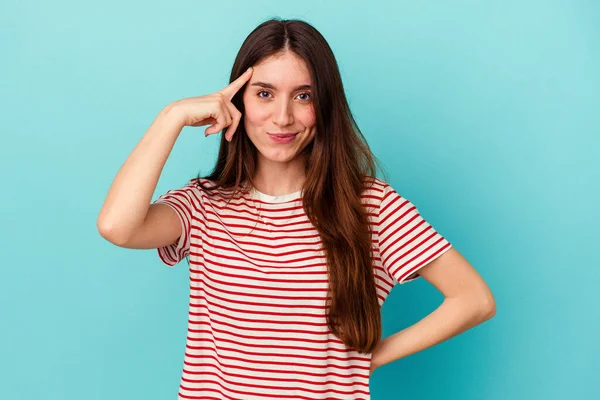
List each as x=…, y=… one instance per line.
x=484, y=114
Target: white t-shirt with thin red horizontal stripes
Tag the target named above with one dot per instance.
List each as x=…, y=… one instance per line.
x=258, y=285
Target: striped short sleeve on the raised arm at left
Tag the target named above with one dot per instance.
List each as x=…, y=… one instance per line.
x=184, y=201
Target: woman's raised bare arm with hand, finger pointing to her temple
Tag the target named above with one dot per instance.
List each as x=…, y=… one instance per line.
x=127, y=217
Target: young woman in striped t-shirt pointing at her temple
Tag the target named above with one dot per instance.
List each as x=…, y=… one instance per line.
x=293, y=243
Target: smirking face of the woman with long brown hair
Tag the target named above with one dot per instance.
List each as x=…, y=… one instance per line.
x=278, y=100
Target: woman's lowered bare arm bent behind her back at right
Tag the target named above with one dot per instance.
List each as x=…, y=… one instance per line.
x=468, y=302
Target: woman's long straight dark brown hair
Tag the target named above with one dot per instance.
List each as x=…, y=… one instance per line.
x=340, y=165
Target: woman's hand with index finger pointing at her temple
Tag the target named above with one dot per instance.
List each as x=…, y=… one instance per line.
x=215, y=108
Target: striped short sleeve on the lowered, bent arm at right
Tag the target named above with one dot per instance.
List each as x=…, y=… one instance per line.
x=407, y=242
